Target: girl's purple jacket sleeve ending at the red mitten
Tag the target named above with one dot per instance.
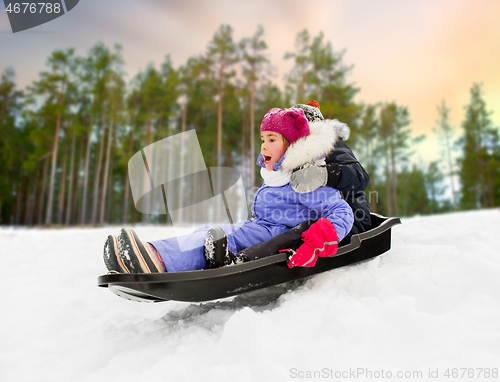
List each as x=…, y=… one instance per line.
x=328, y=203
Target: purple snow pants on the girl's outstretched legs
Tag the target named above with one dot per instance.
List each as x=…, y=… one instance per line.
x=185, y=253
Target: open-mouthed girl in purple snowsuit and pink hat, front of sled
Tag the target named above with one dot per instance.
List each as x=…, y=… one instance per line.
x=288, y=142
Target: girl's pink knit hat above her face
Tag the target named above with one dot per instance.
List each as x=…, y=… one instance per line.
x=291, y=123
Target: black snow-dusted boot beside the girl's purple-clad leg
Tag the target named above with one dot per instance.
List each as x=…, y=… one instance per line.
x=216, y=252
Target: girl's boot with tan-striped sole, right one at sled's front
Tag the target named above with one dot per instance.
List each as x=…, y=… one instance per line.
x=137, y=256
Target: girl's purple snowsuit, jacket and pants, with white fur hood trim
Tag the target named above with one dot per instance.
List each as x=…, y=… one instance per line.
x=276, y=209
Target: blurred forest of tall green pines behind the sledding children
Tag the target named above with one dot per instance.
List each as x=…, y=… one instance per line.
x=66, y=139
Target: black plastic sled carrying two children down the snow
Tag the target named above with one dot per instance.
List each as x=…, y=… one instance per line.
x=211, y=284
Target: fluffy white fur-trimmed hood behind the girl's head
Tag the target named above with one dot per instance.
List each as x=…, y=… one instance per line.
x=316, y=145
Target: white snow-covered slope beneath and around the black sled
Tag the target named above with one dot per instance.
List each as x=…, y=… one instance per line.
x=429, y=305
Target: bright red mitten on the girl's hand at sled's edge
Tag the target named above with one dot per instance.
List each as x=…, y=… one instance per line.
x=320, y=240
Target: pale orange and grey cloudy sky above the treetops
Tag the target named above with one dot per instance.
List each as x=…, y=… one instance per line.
x=416, y=53
